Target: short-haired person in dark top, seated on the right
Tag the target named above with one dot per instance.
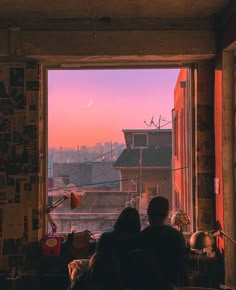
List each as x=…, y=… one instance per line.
x=163, y=245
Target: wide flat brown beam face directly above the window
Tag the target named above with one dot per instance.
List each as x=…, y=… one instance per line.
x=89, y=43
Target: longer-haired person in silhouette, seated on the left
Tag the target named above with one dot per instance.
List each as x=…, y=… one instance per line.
x=106, y=266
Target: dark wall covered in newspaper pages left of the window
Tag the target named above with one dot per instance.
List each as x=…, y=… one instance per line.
x=20, y=180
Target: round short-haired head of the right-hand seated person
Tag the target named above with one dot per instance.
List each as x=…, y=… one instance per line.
x=158, y=209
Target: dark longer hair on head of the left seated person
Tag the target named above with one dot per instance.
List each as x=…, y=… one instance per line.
x=128, y=220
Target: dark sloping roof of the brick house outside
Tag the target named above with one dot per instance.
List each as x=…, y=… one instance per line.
x=151, y=157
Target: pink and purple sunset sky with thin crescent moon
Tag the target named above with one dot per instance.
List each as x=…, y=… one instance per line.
x=90, y=106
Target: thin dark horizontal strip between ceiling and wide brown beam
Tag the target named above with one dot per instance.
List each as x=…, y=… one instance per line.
x=110, y=23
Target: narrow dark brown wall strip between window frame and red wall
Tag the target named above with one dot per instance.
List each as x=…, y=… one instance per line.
x=204, y=136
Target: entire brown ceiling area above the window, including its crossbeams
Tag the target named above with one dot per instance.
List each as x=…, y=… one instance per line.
x=143, y=32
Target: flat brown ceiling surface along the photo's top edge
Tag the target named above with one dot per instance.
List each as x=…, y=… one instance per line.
x=22, y=9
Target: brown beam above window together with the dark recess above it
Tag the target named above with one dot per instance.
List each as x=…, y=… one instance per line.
x=155, y=40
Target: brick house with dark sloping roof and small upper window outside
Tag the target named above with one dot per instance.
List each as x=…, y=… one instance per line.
x=145, y=165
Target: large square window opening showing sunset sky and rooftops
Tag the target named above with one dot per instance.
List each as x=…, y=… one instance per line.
x=81, y=106
